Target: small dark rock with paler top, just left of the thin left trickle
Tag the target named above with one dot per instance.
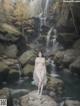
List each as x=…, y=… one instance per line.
x=13, y=75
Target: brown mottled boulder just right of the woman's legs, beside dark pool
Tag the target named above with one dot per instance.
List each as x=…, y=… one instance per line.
x=55, y=85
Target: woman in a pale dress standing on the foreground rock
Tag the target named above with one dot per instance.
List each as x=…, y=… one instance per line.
x=39, y=74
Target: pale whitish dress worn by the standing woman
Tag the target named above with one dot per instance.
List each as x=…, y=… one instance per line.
x=40, y=71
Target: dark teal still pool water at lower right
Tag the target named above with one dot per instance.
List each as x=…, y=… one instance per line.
x=71, y=84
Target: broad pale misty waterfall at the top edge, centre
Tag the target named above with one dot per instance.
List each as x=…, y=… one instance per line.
x=37, y=7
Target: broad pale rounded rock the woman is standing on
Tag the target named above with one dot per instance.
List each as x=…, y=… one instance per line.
x=33, y=99
